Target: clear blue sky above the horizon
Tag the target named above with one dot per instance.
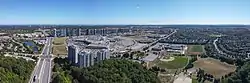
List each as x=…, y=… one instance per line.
x=94, y=12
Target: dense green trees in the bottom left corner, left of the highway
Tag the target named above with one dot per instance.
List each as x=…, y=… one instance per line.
x=13, y=70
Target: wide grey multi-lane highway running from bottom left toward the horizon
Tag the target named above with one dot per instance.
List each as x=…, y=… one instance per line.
x=42, y=71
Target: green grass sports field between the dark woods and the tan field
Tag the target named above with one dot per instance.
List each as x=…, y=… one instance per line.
x=178, y=62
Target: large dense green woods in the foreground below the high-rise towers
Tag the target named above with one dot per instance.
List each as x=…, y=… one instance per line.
x=108, y=71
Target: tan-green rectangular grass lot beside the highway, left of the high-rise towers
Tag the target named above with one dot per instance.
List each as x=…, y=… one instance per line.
x=59, y=46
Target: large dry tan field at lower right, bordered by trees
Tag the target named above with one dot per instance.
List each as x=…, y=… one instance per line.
x=214, y=67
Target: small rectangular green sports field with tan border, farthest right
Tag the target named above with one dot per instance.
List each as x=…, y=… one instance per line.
x=195, y=49
